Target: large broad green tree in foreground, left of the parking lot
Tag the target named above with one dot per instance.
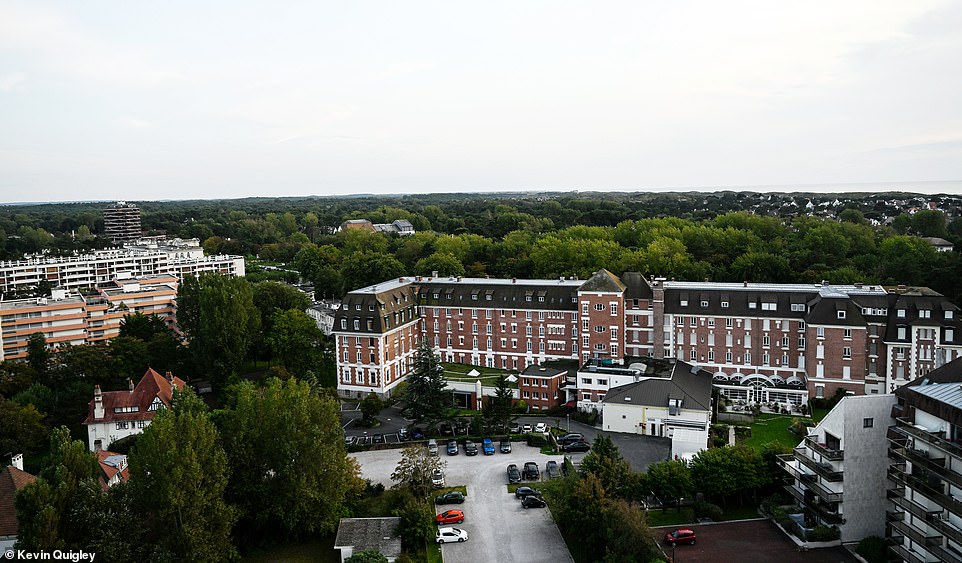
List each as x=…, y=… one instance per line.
x=290, y=473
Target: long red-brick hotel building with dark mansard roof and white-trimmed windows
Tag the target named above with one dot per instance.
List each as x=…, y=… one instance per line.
x=864, y=338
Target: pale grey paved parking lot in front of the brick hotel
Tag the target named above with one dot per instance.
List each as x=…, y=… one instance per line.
x=499, y=530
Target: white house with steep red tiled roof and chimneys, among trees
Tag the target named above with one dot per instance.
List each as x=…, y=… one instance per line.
x=114, y=415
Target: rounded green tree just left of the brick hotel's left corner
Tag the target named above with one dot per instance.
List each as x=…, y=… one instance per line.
x=295, y=341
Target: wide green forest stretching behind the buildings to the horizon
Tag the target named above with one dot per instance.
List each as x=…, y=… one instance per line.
x=723, y=236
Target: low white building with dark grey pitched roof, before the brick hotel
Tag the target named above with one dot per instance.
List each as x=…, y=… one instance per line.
x=670, y=399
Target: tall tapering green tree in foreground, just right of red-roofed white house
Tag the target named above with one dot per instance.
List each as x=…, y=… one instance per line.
x=178, y=475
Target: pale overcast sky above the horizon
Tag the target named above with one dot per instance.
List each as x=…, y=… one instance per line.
x=176, y=100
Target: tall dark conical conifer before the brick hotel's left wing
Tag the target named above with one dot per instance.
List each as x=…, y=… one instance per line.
x=427, y=400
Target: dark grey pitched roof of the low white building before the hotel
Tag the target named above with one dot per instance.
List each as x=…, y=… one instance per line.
x=694, y=389
